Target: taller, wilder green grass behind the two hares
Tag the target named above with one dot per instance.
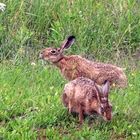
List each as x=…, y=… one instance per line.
x=102, y=28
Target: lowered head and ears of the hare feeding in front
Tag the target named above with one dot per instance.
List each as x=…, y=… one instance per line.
x=105, y=106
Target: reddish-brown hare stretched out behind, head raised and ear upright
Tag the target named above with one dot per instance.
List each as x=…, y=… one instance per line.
x=74, y=66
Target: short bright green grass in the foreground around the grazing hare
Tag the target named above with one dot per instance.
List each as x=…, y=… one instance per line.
x=30, y=106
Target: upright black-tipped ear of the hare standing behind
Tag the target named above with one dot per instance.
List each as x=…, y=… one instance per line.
x=67, y=43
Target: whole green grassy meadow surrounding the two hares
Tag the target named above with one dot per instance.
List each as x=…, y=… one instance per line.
x=30, y=90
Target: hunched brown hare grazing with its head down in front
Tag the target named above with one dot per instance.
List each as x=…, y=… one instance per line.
x=84, y=96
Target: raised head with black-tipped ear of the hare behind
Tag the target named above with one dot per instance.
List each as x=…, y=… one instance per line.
x=56, y=54
